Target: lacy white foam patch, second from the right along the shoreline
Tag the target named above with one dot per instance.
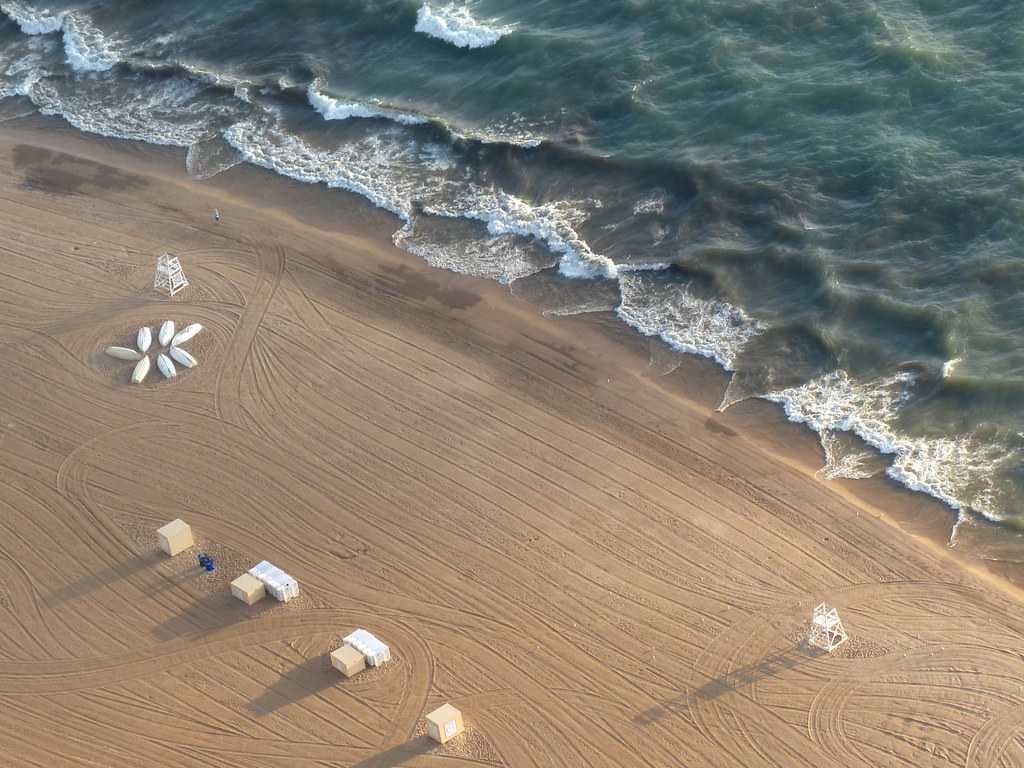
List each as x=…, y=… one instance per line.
x=709, y=328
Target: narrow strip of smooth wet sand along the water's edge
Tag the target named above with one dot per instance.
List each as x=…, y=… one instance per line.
x=914, y=514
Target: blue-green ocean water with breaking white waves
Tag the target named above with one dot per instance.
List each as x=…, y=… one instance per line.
x=827, y=197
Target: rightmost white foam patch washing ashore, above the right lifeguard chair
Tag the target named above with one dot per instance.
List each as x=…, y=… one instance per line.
x=956, y=471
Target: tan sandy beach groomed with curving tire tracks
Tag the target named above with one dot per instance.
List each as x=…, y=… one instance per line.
x=593, y=566
